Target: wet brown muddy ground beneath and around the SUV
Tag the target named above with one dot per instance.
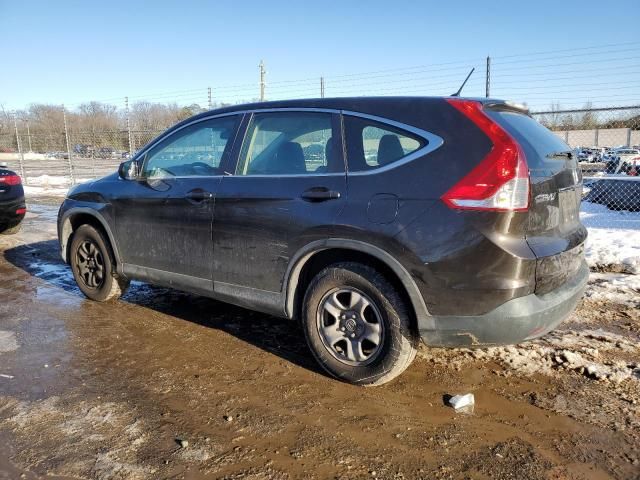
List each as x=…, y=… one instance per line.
x=111, y=391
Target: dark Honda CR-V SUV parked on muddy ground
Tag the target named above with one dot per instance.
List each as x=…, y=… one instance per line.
x=375, y=221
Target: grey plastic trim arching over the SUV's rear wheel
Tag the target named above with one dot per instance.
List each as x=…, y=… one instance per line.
x=324, y=252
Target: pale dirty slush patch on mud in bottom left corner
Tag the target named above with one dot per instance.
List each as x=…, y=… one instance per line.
x=86, y=427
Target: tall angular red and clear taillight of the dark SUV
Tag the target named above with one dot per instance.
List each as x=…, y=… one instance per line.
x=500, y=182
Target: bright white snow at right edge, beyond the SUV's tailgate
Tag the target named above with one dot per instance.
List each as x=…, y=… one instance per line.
x=613, y=243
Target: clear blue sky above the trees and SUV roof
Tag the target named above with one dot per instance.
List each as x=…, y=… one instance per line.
x=75, y=51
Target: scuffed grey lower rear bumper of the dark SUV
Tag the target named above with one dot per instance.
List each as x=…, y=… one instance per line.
x=517, y=320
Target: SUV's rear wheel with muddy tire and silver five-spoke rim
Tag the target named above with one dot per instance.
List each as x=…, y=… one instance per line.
x=357, y=325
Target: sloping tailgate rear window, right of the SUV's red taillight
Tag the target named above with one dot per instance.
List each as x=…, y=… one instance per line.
x=524, y=128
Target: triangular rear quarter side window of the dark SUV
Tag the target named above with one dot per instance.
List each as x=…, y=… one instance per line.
x=372, y=145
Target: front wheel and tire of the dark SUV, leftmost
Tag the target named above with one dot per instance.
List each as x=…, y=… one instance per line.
x=93, y=265
